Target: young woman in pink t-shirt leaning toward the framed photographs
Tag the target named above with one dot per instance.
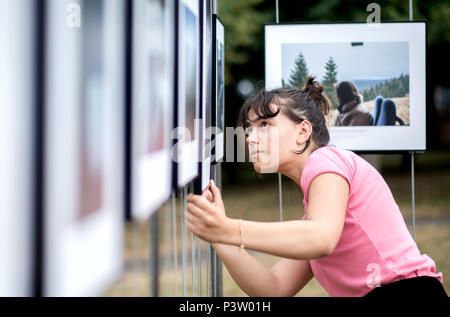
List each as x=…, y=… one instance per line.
x=352, y=239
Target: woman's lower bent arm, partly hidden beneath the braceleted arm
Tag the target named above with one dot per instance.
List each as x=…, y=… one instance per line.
x=286, y=278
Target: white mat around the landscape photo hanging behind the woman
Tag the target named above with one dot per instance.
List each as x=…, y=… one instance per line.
x=361, y=138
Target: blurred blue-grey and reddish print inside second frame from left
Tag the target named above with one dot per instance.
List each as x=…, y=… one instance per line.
x=92, y=112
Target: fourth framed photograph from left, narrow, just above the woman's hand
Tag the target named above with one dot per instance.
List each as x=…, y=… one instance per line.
x=187, y=128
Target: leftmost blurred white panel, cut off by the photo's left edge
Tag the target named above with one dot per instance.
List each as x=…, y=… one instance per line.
x=17, y=146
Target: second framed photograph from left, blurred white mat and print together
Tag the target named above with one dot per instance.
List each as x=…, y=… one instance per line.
x=84, y=165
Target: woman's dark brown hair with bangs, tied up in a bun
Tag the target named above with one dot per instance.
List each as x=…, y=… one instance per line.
x=298, y=104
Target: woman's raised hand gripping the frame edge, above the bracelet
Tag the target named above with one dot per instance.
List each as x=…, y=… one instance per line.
x=206, y=216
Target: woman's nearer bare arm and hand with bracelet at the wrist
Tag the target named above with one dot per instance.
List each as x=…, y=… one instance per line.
x=314, y=237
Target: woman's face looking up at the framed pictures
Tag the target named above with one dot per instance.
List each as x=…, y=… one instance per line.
x=271, y=141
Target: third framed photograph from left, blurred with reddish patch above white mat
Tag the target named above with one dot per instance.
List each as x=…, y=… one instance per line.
x=152, y=104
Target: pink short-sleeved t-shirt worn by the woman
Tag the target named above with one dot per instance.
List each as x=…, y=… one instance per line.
x=375, y=247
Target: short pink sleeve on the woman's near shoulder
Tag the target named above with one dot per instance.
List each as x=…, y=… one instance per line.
x=326, y=160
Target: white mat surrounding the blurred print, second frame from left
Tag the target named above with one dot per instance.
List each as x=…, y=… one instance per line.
x=82, y=256
